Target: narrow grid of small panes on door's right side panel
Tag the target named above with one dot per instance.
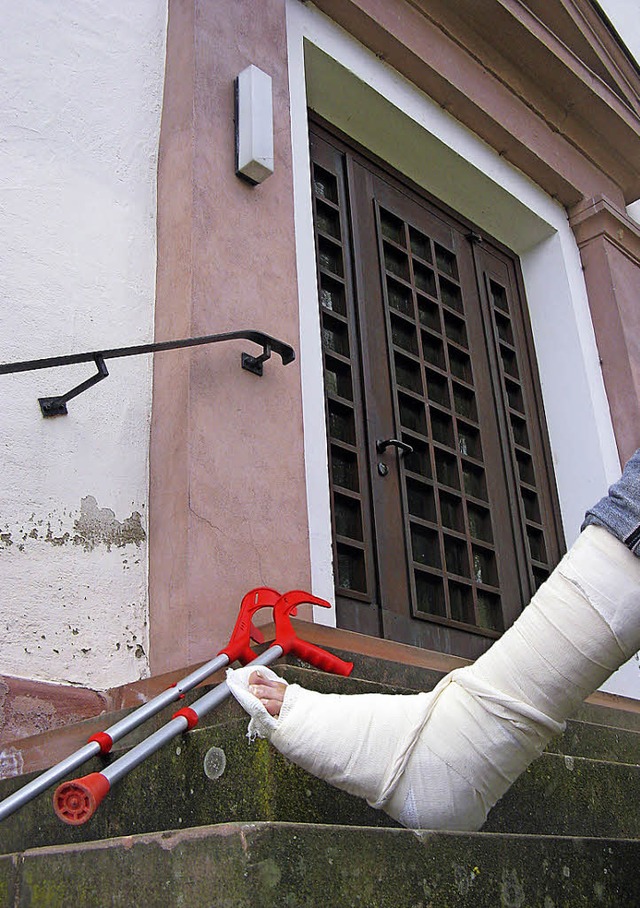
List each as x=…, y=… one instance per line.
x=514, y=392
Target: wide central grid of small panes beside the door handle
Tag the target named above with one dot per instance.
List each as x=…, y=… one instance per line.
x=453, y=561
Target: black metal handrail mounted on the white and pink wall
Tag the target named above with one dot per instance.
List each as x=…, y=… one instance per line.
x=57, y=406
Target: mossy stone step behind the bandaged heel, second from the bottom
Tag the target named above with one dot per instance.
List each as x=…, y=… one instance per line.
x=558, y=795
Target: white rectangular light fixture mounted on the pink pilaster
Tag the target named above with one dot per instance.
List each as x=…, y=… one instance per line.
x=254, y=125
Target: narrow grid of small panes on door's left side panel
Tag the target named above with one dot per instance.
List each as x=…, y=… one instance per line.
x=341, y=388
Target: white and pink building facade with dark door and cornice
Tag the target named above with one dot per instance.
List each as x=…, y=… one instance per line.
x=447, y=241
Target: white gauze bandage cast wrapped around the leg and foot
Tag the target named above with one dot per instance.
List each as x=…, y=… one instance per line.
x=442, y=759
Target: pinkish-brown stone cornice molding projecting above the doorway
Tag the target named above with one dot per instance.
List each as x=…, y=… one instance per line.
x=501, y=71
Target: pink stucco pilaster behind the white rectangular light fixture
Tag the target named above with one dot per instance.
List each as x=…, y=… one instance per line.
x=228, y=500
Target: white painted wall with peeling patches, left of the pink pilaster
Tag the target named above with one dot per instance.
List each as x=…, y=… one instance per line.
x=80, y=102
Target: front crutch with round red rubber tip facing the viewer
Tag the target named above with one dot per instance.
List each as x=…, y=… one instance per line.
x=76, y=801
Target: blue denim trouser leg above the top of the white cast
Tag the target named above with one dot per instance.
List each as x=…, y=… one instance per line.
x=619, y=511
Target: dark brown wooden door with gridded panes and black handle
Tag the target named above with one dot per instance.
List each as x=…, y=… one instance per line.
x=443, y=506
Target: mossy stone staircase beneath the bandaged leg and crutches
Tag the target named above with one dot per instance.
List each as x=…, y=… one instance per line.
x=213, y=820
